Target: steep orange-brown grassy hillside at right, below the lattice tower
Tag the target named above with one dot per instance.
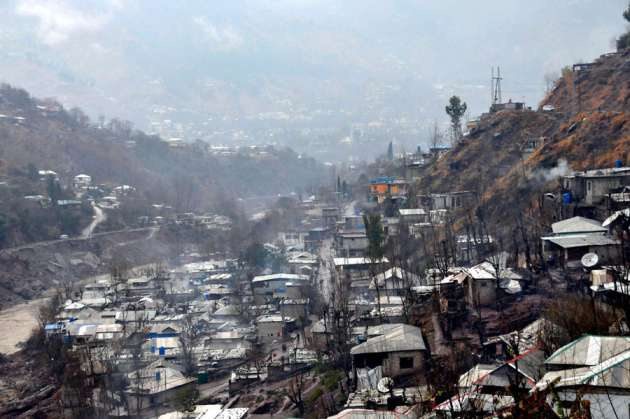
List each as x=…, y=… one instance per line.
x=493, y=160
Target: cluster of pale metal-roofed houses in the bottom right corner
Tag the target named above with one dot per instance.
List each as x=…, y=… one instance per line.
x=591, y=372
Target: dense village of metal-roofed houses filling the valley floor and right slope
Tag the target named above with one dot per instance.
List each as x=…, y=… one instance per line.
x=320, y=322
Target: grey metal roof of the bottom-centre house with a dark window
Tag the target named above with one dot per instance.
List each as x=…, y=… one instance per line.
x=401, y=338
